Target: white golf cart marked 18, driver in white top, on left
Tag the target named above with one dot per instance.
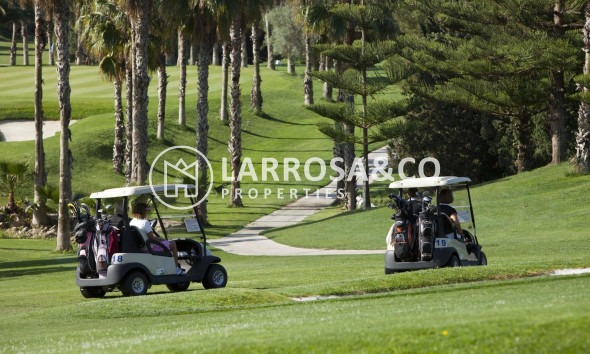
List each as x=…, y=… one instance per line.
x=110, y=258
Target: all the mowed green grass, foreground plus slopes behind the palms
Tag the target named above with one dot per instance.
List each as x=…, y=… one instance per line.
x=529, y=225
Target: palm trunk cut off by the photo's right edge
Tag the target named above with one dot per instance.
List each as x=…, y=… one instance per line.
x=582, y=158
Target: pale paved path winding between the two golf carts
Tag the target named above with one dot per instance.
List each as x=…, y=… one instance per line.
x=249, y=242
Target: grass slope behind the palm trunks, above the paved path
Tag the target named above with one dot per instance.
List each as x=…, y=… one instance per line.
x=285, y=129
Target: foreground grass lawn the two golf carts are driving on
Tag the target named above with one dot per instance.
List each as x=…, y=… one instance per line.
x=43, y=310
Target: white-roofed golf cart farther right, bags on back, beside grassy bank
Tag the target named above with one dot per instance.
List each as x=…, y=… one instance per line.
x=422, y=237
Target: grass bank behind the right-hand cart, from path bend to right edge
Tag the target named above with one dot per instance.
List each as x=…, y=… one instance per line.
x=534, y=218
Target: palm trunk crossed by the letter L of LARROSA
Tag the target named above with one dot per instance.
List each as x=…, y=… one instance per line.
x=235, y=123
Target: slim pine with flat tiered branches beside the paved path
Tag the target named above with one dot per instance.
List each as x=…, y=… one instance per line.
x=359, y=57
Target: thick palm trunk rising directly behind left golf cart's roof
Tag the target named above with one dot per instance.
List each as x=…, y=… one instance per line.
x=141, y=81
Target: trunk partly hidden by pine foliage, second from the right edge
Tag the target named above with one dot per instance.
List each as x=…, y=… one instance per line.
x=557, y=98
